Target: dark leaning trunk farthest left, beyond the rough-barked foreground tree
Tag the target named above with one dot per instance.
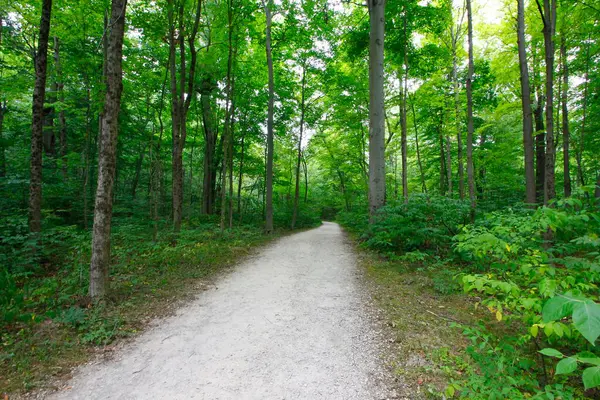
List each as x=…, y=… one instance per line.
x=39, y=94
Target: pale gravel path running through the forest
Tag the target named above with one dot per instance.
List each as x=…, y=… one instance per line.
x=291, y=322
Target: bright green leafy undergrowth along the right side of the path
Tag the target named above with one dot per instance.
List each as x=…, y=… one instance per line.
x=533, y=279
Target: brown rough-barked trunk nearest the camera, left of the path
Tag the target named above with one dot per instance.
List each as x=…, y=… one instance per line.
x=107, y=155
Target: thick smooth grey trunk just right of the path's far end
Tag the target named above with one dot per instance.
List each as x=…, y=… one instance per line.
x=376, y=107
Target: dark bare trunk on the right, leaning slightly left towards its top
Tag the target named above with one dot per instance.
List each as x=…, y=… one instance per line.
x=526, y=106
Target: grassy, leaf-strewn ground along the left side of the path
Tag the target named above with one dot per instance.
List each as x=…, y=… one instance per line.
x=57, y=330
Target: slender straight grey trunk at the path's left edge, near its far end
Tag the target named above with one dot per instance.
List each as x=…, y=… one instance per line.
x=269, y=167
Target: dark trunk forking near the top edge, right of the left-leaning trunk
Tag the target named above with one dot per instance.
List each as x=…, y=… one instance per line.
x=549, y=19
